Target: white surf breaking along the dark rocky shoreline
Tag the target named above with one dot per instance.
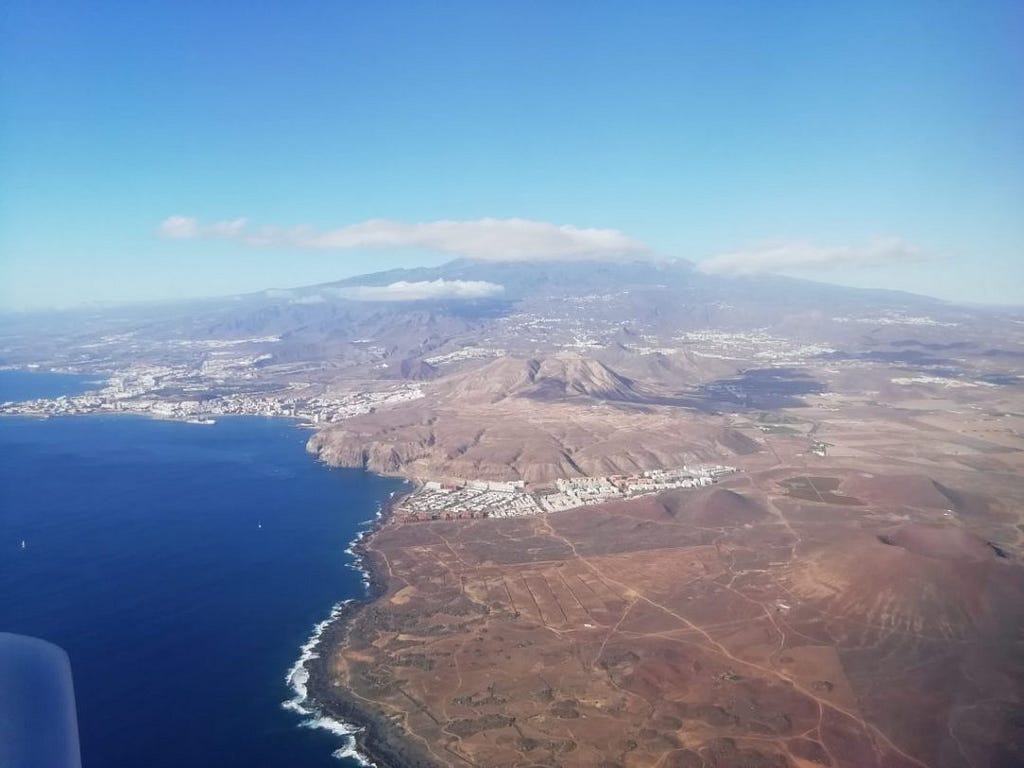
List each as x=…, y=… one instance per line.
x=298, y=676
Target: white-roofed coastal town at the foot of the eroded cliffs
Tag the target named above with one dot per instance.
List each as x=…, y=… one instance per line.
x=458, y=500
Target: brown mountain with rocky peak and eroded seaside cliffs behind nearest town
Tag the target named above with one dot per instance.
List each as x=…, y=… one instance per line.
x=530, y=419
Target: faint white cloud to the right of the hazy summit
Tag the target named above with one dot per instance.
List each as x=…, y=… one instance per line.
x=782, y=258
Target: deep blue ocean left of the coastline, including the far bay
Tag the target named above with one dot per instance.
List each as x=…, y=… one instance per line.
x=182, y=568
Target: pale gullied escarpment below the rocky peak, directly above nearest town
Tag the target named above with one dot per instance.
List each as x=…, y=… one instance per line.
x=521, y=440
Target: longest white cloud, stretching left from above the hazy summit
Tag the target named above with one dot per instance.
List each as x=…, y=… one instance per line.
x=489, y=239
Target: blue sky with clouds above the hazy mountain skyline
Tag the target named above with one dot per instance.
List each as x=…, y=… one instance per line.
x=867, y=144
